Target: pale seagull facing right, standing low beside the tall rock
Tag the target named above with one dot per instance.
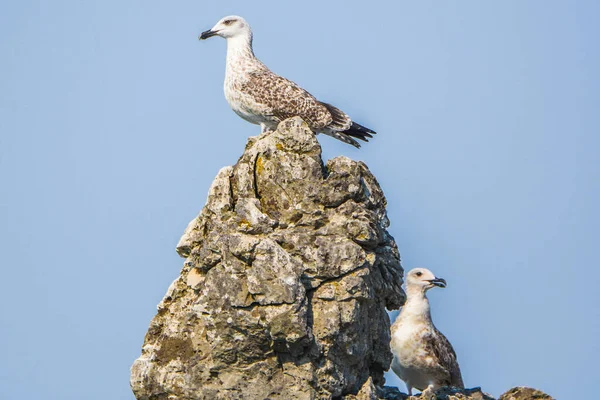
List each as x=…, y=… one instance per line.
x=423, y=357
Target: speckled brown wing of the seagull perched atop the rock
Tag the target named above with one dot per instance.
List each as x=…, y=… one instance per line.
x=285, y=99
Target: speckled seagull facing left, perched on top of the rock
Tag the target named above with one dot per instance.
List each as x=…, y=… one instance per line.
x=263, y=98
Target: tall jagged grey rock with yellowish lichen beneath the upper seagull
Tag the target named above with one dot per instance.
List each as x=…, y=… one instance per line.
x=287, y=275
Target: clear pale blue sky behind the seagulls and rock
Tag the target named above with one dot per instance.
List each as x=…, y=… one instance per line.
x=113, y=125
